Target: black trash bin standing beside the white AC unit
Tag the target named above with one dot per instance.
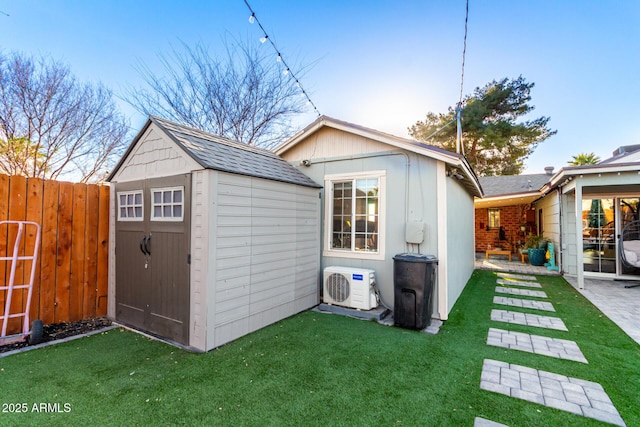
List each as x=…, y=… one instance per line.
x=413, y=280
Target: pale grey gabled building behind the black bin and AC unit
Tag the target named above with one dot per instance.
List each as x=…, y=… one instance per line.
x=413, y=197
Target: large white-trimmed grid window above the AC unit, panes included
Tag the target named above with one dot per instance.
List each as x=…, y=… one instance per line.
x=355, y=213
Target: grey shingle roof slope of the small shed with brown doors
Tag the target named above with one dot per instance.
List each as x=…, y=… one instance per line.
x=219, y=153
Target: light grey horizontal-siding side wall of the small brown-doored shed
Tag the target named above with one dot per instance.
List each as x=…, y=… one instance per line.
x=259, y=251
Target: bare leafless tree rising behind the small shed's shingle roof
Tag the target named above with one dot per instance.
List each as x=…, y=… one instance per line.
x=243, y=96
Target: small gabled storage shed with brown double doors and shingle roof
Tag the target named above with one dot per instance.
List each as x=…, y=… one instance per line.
x=213, y=239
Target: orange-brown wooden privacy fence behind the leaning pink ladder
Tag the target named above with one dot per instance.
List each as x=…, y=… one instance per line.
x=70, y=280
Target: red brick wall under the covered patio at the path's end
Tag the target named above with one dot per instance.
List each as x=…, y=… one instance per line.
x=511, y=218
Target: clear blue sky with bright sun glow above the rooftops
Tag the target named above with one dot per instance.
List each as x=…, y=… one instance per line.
x=381, y=64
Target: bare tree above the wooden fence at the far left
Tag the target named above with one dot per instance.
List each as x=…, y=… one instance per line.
x=52, y=125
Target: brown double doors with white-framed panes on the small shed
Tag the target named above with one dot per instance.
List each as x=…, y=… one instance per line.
x=152, y=255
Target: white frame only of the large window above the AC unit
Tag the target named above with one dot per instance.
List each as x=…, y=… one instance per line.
x=329, y=180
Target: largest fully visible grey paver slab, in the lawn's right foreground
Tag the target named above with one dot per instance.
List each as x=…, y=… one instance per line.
x=573, y=395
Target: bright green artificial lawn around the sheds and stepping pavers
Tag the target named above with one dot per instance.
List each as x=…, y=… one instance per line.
x=321, y=369
